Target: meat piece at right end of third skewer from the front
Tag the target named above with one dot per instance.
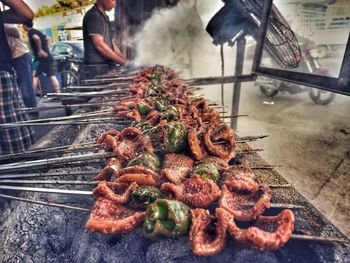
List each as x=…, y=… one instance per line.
x=240, y=178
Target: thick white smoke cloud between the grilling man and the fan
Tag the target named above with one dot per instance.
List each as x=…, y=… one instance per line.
x=176, y=37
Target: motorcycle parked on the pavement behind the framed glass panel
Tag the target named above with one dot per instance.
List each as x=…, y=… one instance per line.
x=309, y=64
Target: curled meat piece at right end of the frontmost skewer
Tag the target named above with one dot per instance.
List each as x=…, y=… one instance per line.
x=268, y=233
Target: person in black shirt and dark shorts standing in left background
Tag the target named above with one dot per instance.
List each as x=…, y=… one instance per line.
x=39, y=45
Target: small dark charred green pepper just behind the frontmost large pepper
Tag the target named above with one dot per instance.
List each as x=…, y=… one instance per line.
x=144, y=195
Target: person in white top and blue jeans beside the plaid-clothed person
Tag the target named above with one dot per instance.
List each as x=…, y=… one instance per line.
x=23, y=64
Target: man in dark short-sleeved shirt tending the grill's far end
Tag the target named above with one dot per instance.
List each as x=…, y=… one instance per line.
x=99, y=49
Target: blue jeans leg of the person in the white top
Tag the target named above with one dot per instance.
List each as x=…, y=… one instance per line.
x=23, y=66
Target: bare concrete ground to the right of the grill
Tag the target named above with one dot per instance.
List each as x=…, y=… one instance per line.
x=306, y=140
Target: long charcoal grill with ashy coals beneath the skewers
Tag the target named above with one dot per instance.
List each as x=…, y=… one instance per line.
x=32, y=233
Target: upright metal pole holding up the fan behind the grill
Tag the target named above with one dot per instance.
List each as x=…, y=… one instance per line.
x=241, y=42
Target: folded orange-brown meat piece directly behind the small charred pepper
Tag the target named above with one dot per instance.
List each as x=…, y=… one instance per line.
x=140, y=175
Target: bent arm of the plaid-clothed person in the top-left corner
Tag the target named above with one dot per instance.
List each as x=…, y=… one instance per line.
x=19, y=12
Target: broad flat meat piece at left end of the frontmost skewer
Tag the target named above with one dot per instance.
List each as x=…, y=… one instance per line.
x=109, y=218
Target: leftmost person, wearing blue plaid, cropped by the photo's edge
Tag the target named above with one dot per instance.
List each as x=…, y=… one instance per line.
x=14, y=139
